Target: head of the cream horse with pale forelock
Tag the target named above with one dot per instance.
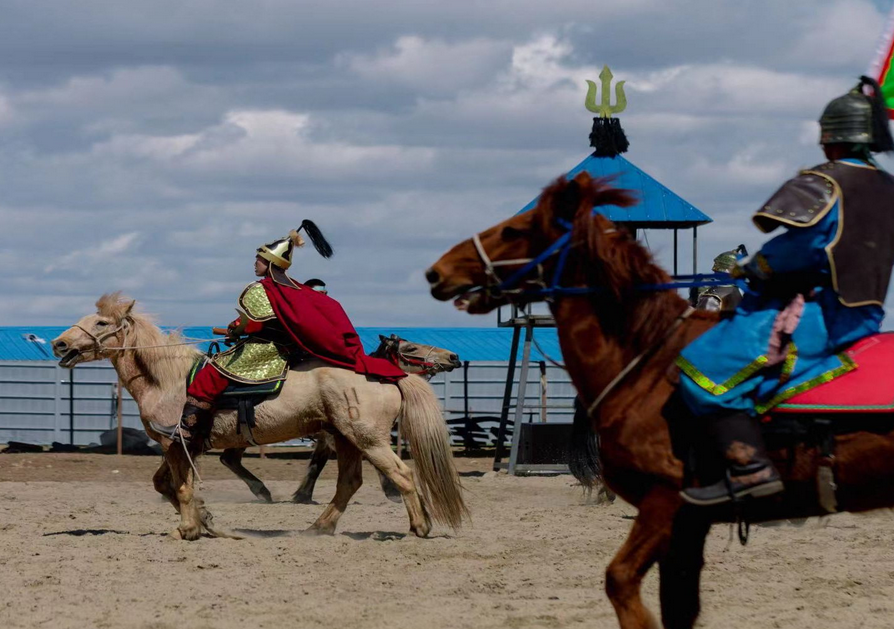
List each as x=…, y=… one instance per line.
x=89, y=338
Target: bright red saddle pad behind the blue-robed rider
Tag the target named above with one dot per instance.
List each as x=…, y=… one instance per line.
x=867, y=389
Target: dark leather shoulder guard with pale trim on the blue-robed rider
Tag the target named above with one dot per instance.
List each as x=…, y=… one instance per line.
x=801, y=202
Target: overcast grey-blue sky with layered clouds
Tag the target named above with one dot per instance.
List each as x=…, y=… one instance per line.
x=152, y=147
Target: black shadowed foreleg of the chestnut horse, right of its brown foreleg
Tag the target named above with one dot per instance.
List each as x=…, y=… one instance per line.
x=680, y=570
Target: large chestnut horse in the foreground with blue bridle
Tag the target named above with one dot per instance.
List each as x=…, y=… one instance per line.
x=619, y=342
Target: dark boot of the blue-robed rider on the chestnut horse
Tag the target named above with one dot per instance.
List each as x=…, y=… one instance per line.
x=749, y=470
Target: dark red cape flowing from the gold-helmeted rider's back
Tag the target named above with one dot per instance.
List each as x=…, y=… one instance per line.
x=318, y=324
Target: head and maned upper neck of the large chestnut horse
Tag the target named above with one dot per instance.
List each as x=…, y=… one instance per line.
x=472, y=272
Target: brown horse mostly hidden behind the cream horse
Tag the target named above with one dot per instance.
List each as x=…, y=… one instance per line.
x=416, y=358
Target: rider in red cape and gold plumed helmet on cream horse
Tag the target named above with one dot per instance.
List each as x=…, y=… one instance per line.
x=282, y=321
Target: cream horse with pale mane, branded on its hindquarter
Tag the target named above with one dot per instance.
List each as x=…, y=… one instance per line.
x=152, y=366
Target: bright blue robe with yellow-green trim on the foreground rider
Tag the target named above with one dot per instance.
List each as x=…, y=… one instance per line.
x=725, y=368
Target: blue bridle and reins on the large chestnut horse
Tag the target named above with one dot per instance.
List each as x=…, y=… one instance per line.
x=562, y=247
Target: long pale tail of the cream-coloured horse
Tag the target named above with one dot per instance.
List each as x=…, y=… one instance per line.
x=429, y=440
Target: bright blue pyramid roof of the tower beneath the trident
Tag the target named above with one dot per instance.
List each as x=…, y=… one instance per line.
x=659, y=207
